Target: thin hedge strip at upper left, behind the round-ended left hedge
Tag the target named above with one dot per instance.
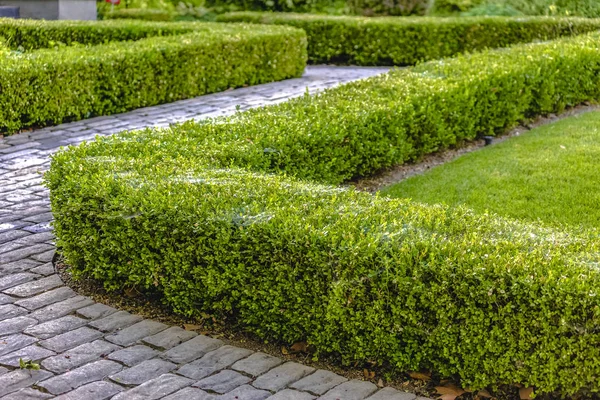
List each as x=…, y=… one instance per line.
x=27, y=34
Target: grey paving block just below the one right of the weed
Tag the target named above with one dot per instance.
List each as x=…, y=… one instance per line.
x=92, y=372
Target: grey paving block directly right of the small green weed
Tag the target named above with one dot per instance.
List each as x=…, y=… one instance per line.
x=79, y=356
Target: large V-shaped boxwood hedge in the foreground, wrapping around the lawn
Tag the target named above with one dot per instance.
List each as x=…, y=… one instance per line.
x=408, y=285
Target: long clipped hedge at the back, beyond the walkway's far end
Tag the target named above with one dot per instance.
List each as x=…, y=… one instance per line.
x=406, y=41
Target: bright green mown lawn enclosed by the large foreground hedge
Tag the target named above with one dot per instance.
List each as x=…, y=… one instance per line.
x=551, y=173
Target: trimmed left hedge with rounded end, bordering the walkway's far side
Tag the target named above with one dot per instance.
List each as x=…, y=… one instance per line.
x=49, y=86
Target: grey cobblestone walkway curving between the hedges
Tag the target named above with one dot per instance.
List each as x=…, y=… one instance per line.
x=89, y=351
